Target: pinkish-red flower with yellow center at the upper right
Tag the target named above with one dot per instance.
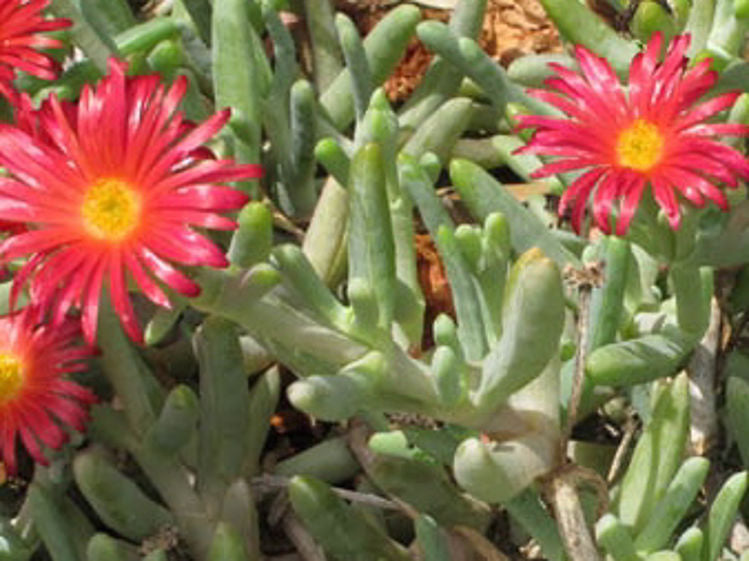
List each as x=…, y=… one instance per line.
x=652, y=134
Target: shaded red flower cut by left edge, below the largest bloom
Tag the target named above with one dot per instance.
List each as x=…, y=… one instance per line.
x=36, y=399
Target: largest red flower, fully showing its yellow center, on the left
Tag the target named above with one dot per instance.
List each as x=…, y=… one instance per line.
x=112, y=187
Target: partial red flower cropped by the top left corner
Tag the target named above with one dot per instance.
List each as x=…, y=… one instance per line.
x=21, y=21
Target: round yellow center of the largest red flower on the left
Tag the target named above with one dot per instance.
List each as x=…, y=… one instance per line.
x=111, y=209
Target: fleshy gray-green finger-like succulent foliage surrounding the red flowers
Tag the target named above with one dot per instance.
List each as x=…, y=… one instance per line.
x=345, y=312
